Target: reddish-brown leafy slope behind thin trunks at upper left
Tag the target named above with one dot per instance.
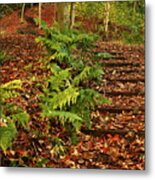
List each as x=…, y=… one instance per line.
x=11, y=23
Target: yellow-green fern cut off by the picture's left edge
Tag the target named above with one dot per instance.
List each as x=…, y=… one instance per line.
x=10, y=114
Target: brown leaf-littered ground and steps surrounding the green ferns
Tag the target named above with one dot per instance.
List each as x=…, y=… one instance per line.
x=116, y=140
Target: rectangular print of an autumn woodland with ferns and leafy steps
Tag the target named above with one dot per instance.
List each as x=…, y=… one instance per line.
x=73, y=96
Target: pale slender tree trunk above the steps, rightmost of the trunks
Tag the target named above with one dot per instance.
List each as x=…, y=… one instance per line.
x=107, y=16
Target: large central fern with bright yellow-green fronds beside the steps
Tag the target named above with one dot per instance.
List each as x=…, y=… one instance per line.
x=67, y=100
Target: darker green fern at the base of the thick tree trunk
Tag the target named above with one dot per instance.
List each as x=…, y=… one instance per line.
x=61, y=45
